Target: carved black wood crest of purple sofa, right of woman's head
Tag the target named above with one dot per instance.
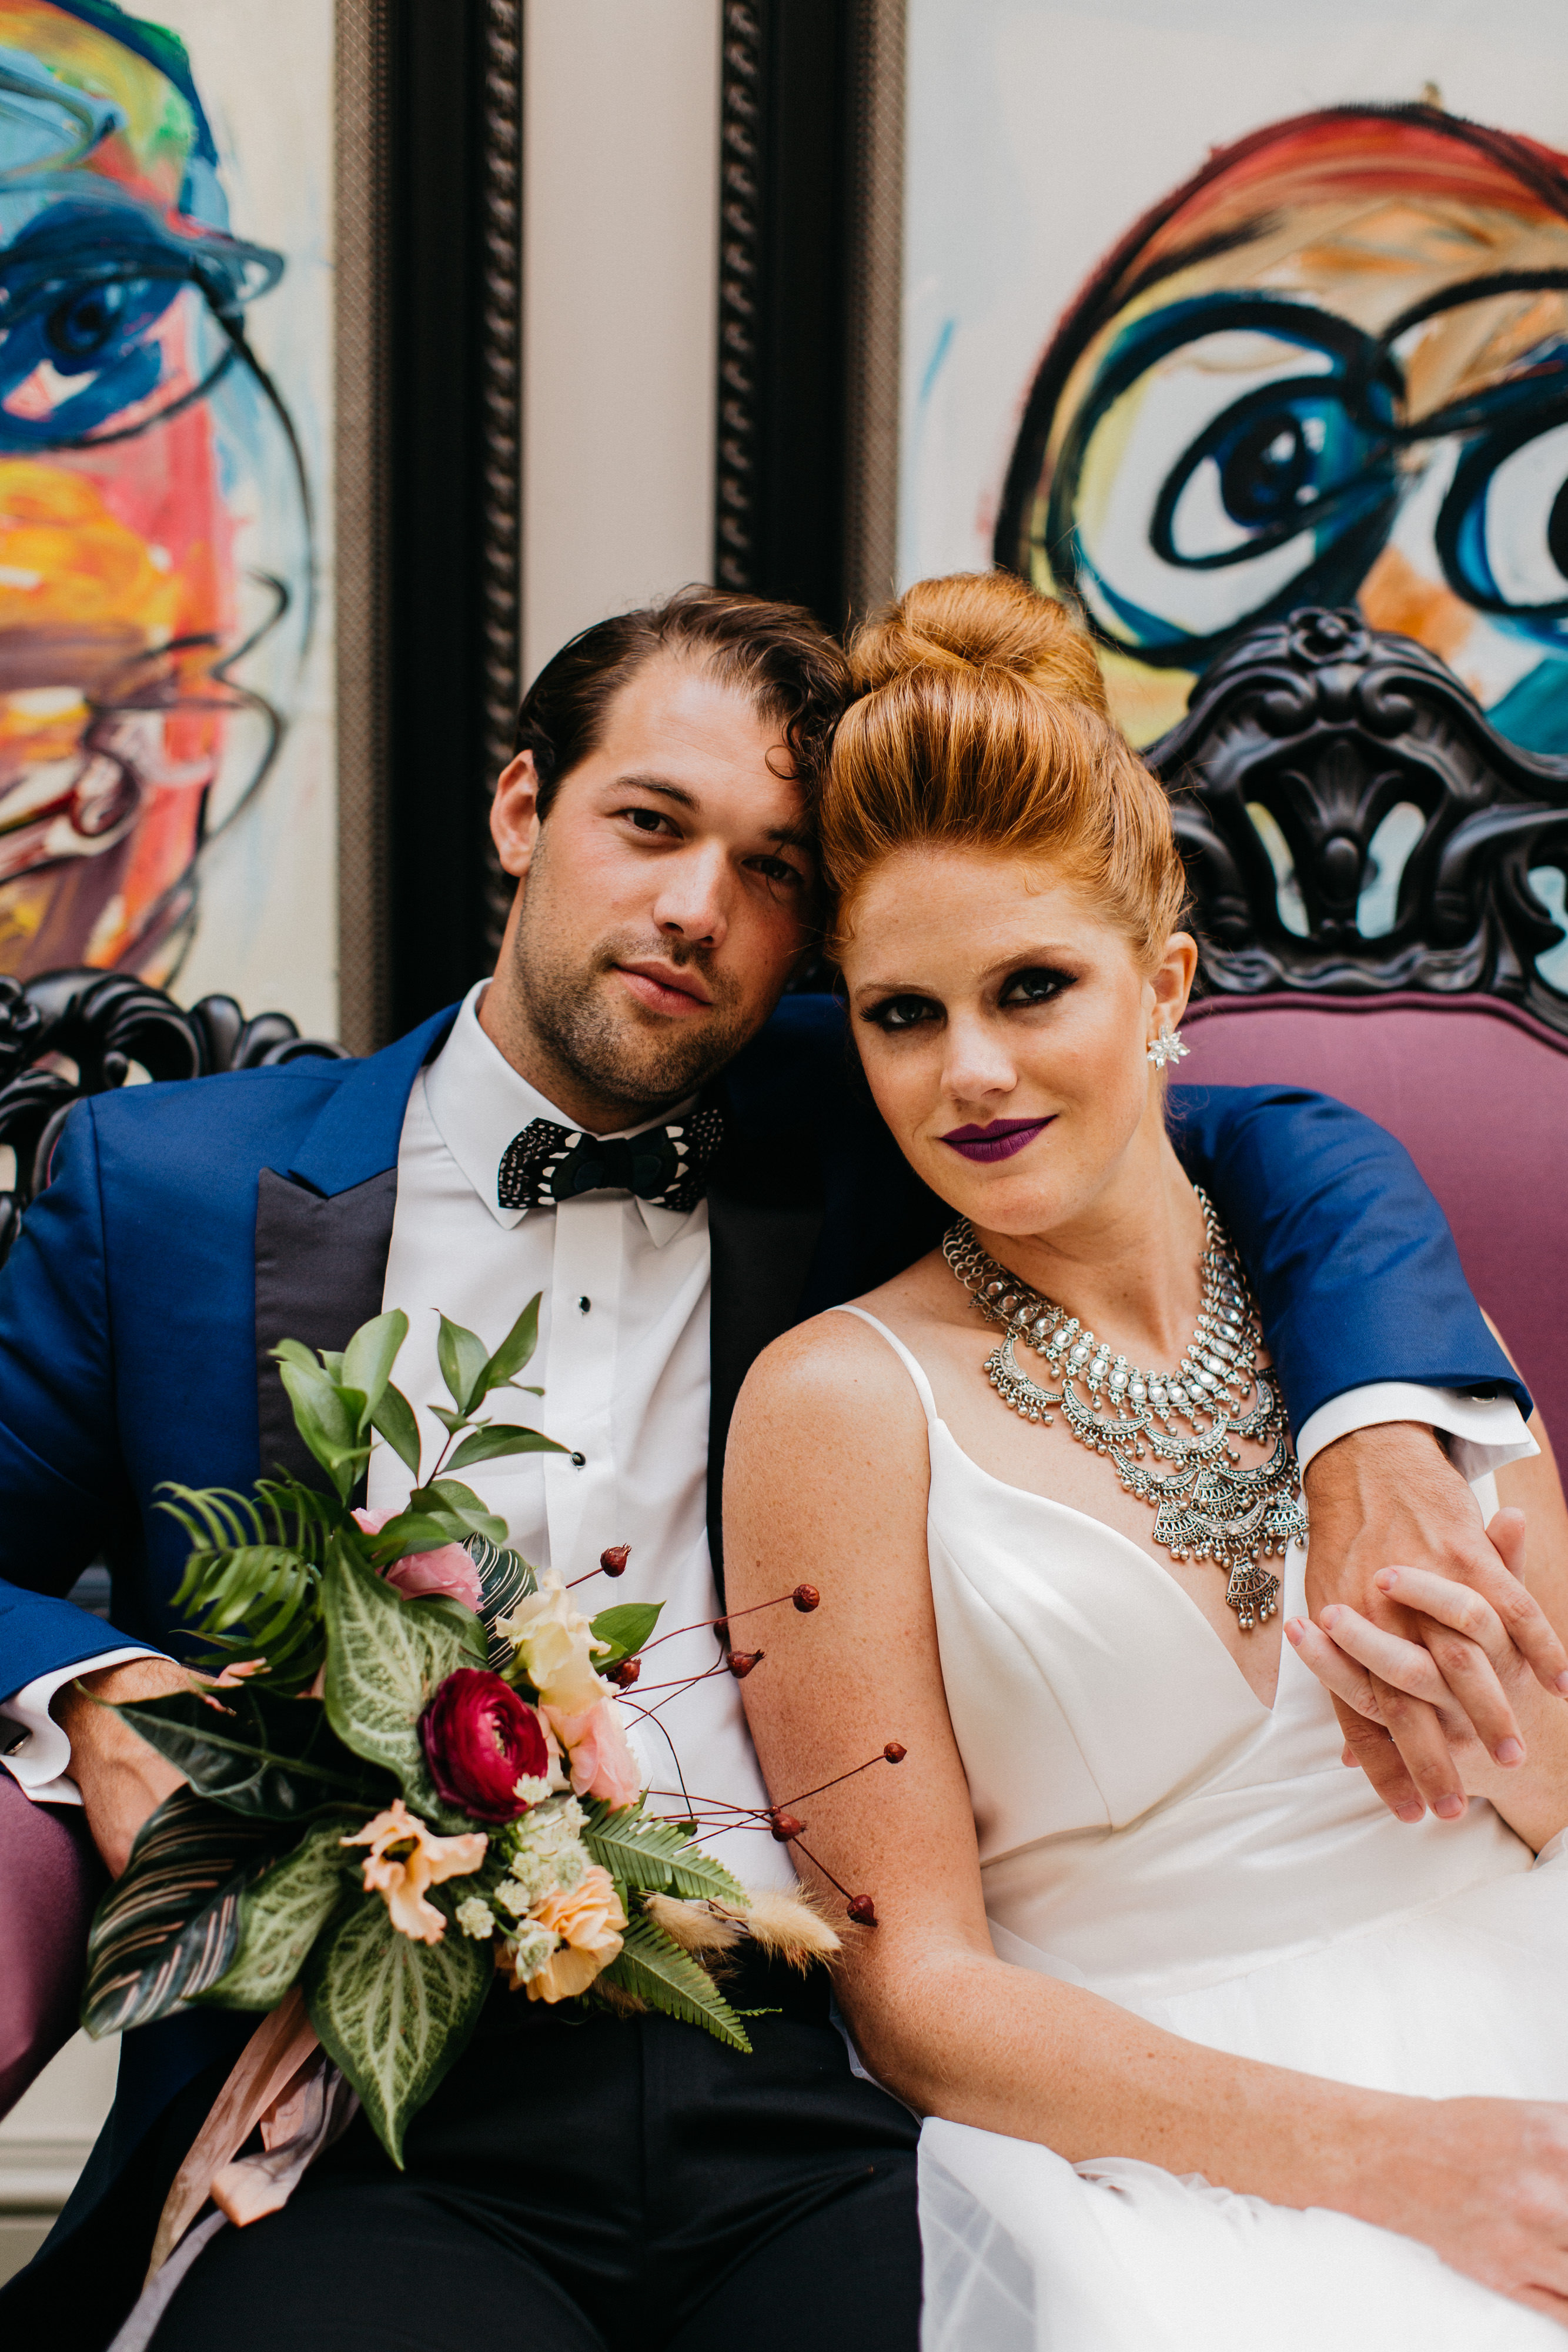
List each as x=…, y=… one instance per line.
x=1329, y=726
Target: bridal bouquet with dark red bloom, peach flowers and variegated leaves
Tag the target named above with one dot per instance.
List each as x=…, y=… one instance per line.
x=413, y=1770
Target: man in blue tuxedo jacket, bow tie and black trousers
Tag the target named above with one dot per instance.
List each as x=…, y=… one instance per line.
x=631, y=1123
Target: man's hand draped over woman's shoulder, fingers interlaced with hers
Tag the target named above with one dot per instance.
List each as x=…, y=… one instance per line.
x=1391, y=1497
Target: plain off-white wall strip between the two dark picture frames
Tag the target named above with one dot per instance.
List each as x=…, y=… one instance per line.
x=622, y=149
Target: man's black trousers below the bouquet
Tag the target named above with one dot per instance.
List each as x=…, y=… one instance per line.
x=601, y=2186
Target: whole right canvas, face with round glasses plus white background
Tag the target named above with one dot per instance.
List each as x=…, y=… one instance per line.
x=1221, y=309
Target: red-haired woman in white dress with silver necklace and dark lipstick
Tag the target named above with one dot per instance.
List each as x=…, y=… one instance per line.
x=1214, y=2052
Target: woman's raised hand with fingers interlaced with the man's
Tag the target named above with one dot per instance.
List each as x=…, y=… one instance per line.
x=1381, y=1676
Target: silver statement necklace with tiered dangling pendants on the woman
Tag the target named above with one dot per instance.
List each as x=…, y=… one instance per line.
x=1207, y=1504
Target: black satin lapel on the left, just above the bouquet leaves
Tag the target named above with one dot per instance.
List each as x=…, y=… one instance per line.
x=321, y=1274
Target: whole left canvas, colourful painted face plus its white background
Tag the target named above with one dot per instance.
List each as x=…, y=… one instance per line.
x=166, y=373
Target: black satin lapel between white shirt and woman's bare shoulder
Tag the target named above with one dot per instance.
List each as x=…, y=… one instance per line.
x=760, y=1257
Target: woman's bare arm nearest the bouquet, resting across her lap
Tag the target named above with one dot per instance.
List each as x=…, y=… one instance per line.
x=826, y=1481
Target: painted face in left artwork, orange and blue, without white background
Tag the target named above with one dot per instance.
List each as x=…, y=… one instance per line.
x=154, y=512
